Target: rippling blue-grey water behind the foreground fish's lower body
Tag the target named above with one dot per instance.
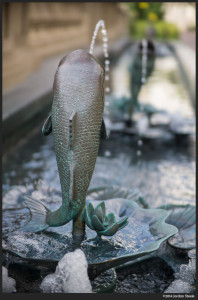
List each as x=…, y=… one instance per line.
x=164, y=174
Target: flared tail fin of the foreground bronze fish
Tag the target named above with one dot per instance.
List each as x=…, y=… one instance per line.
x=38, y=213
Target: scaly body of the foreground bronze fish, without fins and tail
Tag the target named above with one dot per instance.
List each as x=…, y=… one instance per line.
x=83, y=94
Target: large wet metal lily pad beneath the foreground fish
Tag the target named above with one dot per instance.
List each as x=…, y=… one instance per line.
x=144, y=234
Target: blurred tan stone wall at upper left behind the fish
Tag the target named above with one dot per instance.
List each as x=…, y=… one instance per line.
x=36, y=30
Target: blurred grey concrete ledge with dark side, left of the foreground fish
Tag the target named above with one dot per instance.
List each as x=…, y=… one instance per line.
x=28, y=103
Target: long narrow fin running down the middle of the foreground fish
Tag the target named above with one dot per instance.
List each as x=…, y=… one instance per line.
x=72, y=125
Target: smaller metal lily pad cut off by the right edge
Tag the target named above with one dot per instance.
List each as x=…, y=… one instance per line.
x=184, y=218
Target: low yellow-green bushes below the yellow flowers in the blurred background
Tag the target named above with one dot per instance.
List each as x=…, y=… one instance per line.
x=162, y=29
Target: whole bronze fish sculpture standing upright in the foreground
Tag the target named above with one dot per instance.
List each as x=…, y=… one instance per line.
x=76, y=122
